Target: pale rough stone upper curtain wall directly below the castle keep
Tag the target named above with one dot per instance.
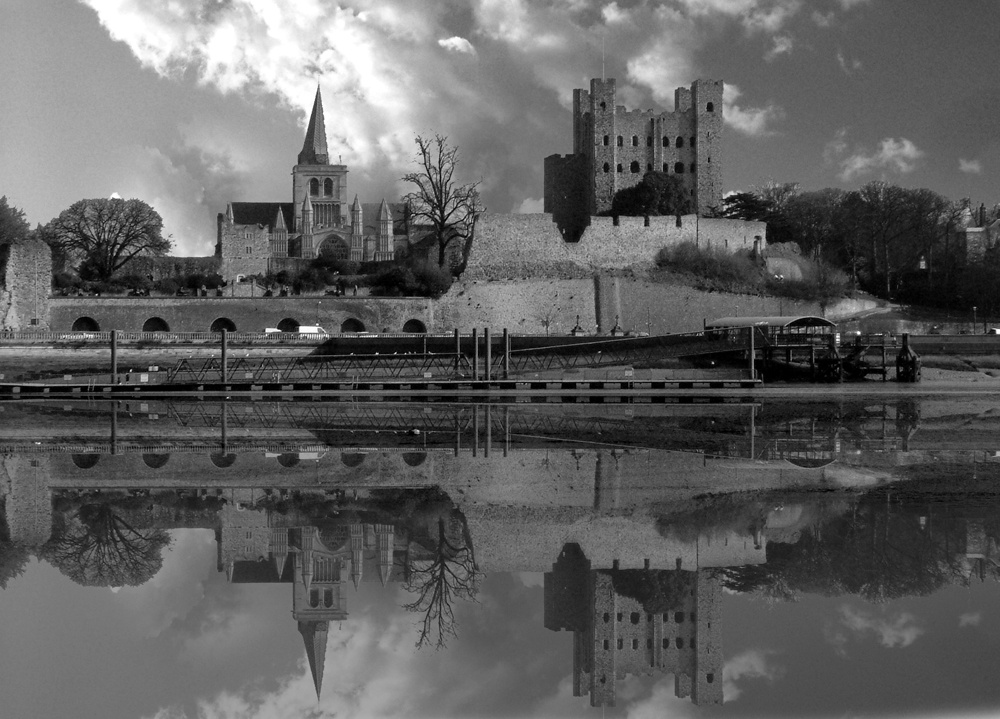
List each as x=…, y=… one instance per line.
x=516, y=246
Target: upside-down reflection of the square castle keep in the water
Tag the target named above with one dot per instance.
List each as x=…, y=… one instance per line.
x=615, y=634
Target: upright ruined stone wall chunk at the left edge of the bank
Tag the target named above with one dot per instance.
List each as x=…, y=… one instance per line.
x=25, y=285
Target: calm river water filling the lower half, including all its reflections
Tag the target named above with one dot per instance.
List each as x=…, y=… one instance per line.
x=303, y=558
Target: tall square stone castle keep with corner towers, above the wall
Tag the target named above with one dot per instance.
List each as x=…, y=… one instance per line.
x=613, y=148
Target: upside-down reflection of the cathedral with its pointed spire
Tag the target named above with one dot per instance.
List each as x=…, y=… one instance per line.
x=254, y=548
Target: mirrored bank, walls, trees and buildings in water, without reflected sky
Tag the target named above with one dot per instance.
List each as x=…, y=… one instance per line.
x=640, y=518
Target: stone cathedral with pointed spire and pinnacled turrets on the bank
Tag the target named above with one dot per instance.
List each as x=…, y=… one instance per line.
x=256, y=238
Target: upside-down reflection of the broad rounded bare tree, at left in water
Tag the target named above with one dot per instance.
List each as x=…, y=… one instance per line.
x=97, y=547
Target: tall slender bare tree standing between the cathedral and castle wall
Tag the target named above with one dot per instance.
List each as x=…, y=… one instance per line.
x=448, y=209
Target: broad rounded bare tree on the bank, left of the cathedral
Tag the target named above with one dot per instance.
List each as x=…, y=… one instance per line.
x=107, y=233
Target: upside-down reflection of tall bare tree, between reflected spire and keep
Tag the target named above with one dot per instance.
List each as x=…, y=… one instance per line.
x=447, y=572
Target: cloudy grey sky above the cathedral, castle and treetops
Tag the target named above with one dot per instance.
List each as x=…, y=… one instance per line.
x=190, y=104
